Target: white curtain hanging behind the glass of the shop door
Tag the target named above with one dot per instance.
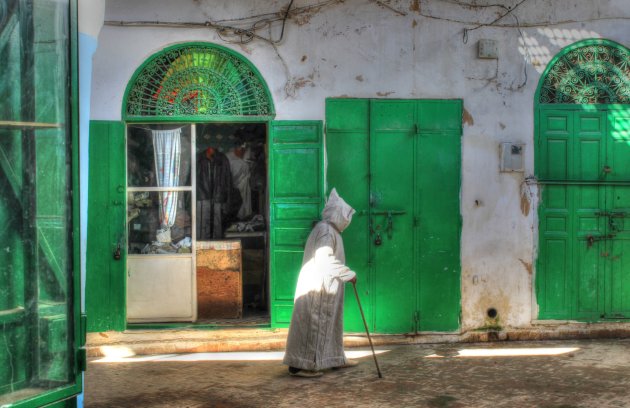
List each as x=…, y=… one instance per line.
x=167, y=149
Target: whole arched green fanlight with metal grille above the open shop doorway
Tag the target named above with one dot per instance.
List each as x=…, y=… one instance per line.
x=200, y=83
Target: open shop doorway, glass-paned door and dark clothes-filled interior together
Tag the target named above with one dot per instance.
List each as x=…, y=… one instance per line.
x=197, y=223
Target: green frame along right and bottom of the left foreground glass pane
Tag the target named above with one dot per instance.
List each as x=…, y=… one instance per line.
x=78, y=335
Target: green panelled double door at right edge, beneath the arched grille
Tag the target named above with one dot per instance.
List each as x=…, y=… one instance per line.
x=583, y=164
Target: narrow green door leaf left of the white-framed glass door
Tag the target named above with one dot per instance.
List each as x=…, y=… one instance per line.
x=106, y=277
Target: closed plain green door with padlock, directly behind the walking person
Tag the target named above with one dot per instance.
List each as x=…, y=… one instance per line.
x=397, y=162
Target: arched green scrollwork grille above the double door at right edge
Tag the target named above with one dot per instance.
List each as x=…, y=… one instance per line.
x=594, y=73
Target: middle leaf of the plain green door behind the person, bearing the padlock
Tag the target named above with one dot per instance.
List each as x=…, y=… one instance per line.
x=391, y=215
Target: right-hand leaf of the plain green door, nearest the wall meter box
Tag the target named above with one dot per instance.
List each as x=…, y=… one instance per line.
x=438, y=220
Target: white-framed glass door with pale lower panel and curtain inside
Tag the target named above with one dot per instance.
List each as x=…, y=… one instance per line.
x=160, y=197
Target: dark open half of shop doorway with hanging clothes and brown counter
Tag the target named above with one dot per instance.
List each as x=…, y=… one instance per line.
x=232, y=222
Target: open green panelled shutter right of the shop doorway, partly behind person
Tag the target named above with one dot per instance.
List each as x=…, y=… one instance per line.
x=296, y=187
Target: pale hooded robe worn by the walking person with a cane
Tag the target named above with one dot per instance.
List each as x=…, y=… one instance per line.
x=315, y=340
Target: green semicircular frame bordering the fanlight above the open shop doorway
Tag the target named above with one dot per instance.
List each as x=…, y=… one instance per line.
x=253, y=71
